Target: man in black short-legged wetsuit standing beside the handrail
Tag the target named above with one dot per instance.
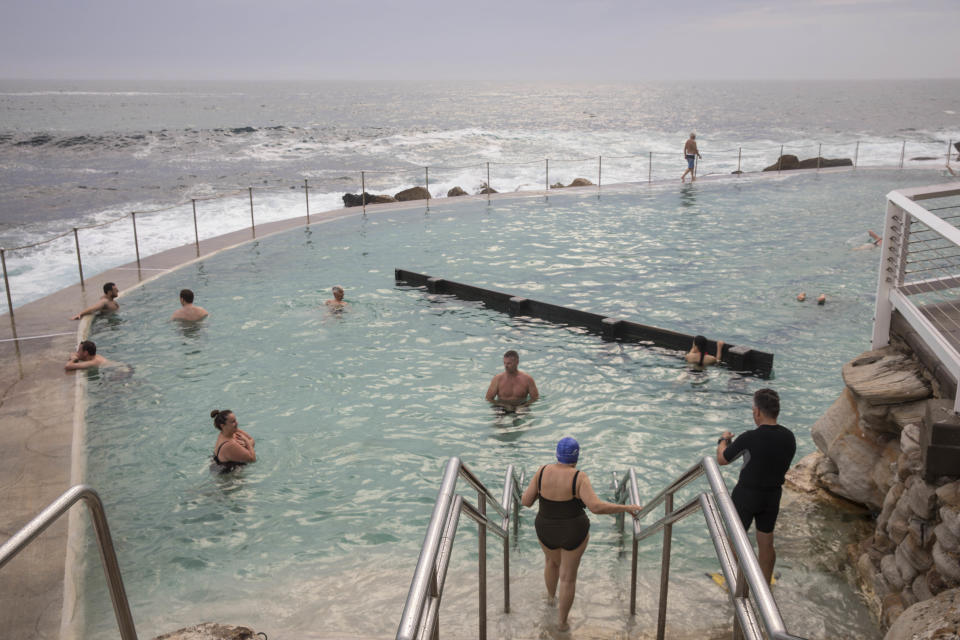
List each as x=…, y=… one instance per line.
x=767, y=453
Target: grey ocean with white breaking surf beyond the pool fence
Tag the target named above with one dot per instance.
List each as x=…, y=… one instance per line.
x=74, y=154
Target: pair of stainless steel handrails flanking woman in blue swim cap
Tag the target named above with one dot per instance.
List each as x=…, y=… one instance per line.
x=756, y=613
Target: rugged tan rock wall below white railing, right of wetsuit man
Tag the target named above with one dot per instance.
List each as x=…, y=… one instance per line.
x=869, y=443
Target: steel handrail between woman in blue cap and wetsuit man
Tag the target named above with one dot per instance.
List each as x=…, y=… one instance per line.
x=756, y=613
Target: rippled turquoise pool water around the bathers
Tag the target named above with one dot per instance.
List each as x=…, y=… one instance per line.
x=356, y=413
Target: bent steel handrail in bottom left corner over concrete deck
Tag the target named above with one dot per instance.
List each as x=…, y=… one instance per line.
x=108, y=556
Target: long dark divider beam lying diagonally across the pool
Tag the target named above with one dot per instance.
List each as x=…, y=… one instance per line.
x=737, y=358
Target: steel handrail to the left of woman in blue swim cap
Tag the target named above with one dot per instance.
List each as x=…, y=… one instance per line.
x=420, y=617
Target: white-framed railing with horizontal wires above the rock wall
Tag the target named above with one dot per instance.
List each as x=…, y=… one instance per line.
x=919, y=273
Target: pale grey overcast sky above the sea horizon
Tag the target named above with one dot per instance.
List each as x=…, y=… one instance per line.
x=570, y=40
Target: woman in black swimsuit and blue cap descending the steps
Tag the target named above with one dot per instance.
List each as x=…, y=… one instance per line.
x=562, y=524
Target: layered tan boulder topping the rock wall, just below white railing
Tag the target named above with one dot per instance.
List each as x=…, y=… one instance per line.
x=885, y=376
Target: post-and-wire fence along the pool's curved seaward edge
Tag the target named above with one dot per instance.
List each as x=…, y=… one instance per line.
x=535, y=174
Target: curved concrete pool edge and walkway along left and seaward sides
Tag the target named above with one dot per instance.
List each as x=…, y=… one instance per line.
x=42, y=408
